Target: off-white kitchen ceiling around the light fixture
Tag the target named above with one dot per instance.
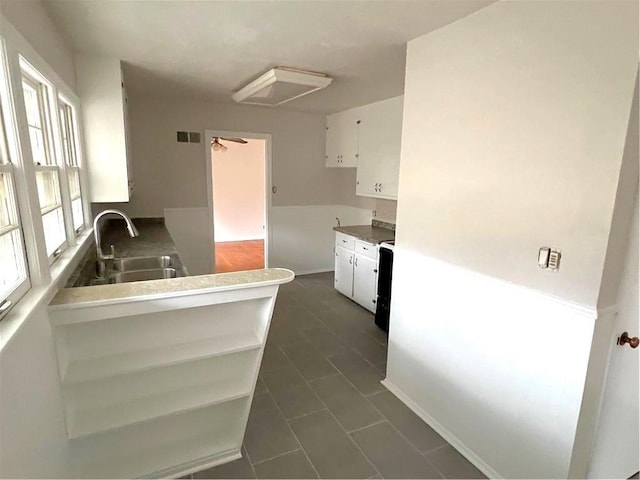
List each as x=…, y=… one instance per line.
x=210, y=49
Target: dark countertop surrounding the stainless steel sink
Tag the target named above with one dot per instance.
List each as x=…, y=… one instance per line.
x=153, y=239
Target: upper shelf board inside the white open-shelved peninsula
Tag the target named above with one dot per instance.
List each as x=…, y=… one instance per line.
x=89, y=369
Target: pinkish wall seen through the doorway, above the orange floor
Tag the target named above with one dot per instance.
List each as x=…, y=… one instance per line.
x=239, y=191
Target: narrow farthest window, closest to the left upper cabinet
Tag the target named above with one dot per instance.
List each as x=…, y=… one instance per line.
x=68, y=131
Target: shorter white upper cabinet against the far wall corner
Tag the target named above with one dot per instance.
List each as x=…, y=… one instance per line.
x=342, y=139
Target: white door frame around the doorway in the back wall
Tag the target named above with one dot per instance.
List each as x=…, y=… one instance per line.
x=208, y=134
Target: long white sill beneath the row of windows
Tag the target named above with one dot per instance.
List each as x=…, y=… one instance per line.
x=40, y=295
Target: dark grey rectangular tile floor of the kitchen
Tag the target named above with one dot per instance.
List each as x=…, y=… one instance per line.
x=320, y=411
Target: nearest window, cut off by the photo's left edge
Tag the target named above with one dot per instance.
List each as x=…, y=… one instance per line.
x=14, y=280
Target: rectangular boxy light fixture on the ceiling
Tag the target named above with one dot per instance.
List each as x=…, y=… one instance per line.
x=280, y=85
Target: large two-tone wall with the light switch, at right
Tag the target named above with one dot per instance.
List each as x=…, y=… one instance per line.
x=514, y=129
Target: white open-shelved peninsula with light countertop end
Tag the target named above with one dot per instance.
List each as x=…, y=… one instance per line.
x=158, y=385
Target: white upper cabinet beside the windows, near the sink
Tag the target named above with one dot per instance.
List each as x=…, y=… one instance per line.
x=104, y=112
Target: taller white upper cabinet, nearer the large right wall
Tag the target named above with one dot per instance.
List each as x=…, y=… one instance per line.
x=379, y=136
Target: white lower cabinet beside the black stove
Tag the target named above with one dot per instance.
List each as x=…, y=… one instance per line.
x=356, y=270
